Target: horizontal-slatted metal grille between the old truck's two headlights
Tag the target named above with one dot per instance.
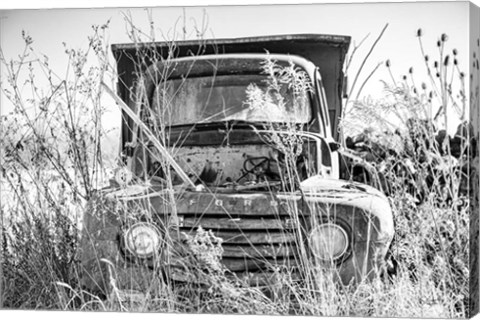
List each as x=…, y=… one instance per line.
x=257, y=230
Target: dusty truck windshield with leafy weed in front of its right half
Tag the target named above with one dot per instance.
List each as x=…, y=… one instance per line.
x=249, y=97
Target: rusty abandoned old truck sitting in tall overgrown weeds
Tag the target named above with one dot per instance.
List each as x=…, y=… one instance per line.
x=238, y=138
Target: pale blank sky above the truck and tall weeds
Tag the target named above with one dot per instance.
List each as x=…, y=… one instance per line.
x=49, y=28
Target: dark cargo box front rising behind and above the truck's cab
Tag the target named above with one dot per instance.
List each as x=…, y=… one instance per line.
x=328, y=52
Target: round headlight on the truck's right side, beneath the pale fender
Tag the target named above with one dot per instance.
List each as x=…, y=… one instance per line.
x=328, y=241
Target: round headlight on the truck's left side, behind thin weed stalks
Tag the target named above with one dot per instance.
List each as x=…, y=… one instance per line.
x=142, y=240
